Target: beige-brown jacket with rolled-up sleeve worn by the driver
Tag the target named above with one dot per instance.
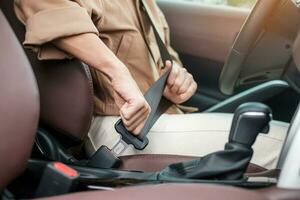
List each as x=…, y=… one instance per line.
x=121, y=25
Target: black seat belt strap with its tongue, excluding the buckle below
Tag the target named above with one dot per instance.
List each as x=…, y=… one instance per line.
x=154, y=96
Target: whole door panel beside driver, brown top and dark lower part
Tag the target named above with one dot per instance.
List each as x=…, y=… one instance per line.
x=202, y=34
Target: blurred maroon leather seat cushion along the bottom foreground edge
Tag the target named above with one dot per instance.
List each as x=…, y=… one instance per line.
x=169, y=192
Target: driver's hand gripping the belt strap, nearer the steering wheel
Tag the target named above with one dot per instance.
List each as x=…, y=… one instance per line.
x=180, y=85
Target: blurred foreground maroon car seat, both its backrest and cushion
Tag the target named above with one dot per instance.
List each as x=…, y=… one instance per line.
x=19, y=119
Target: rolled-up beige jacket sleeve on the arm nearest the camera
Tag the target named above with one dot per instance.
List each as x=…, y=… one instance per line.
x=47, y=20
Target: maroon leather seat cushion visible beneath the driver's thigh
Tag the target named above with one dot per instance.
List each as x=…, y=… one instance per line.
x=156, y=162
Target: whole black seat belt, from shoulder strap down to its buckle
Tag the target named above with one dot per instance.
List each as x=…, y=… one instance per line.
x=108, y=158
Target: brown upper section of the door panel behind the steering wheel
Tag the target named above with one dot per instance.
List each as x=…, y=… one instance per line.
x=202, y=30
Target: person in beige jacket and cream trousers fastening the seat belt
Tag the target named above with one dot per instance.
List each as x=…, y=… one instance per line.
x=116, y=40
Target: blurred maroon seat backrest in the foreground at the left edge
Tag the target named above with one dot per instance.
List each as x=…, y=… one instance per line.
x=19, y=105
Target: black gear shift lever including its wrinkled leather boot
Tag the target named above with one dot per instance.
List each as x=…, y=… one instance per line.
x=230, y=164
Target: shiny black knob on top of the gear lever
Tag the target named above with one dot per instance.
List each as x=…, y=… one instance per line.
x=249, y=120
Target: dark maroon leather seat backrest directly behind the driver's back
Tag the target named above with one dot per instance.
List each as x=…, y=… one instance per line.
x=66, y=89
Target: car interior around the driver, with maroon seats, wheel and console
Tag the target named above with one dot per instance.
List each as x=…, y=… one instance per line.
x=237, y=56
